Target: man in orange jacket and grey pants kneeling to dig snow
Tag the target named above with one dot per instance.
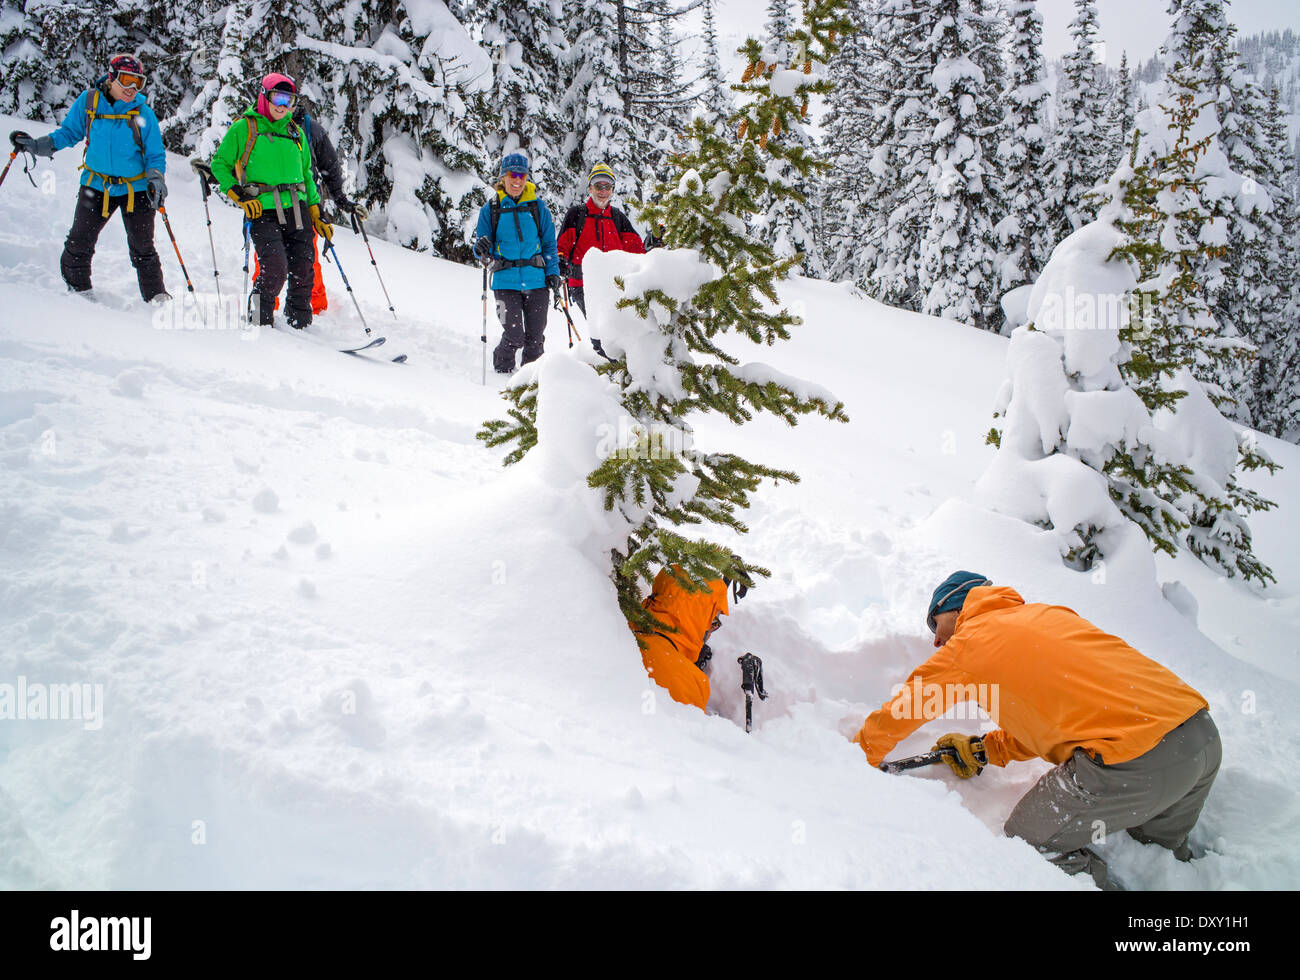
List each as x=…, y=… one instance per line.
x=1134, y=747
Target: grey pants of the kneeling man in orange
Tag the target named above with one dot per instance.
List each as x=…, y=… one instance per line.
x=1156, y=797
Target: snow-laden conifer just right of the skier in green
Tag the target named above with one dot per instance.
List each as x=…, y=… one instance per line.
x=400, y=89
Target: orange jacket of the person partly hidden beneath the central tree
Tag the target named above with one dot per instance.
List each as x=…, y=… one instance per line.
x=670, y=658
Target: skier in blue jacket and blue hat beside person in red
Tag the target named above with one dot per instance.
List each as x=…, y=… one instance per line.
x=519, y=248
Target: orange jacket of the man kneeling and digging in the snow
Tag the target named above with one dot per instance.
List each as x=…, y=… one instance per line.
x=1052, y=680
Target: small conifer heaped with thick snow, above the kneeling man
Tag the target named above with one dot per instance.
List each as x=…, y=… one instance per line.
x=1103, y=426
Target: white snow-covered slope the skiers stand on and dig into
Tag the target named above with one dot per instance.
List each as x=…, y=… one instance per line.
x=341, y=647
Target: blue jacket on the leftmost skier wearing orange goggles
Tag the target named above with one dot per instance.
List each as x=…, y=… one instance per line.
x=112, y=148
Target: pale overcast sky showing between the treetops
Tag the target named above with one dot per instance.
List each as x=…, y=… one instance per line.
x=1138, y=27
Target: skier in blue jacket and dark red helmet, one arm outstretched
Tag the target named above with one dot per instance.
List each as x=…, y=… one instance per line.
x=124, y=168
